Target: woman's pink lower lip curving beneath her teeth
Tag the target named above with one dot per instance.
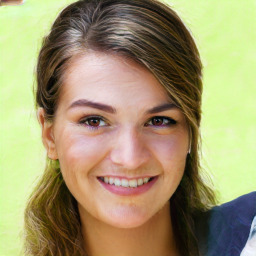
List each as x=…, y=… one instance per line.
x=122, y=191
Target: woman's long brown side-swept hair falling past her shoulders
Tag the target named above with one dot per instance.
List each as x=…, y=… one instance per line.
x=152, y=34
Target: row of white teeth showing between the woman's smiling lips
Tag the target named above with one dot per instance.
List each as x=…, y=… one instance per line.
x=122, y=182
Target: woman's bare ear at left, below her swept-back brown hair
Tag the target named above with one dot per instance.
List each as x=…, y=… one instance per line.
x=47, y=134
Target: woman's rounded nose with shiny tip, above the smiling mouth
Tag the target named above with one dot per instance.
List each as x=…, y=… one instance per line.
x=129, y=150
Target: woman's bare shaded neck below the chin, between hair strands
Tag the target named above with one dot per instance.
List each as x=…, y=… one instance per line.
x=155, y=237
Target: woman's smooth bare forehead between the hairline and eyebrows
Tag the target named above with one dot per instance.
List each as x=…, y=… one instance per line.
x=111, y=79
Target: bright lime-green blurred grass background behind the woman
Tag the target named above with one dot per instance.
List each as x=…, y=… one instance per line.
x=226, y=35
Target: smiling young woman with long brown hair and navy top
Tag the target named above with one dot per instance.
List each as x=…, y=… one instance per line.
x=119, y=102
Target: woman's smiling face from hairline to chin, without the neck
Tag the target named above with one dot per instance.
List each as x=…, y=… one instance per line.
x=120, y=141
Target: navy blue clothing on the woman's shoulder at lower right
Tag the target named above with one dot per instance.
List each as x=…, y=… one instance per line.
x=224, y=230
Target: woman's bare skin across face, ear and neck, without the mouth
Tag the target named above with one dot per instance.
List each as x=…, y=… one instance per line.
x=129, y=143
